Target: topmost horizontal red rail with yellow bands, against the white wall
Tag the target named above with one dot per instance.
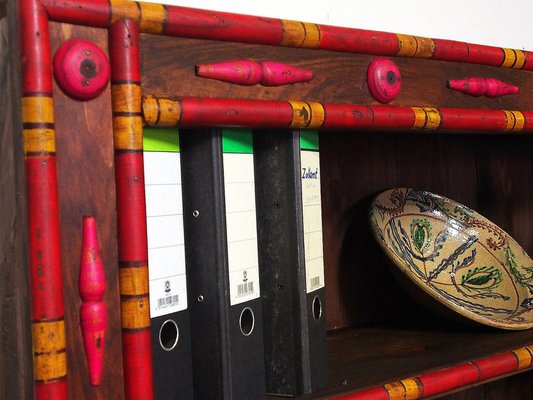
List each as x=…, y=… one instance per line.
x=213, y=25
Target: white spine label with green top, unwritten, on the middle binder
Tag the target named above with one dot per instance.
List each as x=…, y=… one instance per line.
x=241, y=220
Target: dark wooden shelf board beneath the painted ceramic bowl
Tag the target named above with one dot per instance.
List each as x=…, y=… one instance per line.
x=371, y=356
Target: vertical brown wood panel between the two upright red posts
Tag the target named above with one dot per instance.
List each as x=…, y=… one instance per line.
x=86, y=184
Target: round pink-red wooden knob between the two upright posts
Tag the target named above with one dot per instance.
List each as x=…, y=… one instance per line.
x=81, y=69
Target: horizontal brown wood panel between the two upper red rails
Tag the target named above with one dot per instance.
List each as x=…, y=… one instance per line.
x=168, y=66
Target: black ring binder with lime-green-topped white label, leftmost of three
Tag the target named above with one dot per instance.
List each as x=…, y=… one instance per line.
x=169, y=313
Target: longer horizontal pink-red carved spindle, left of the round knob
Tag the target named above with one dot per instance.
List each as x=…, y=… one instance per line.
x=249, y=72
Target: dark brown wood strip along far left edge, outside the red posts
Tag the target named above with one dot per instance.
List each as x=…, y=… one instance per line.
x=15, y=332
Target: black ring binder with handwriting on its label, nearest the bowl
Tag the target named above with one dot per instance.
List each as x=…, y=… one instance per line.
x=287, y=172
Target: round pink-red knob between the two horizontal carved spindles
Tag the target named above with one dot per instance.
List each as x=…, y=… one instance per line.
x=384, y=80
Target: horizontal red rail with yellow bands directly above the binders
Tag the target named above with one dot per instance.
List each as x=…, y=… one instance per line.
x=200, y=111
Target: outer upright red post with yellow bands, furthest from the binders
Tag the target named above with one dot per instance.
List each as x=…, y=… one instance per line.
x=48, y=324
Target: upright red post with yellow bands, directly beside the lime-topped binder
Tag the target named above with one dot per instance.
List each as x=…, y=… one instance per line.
x=131, y=209
